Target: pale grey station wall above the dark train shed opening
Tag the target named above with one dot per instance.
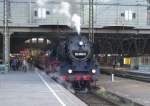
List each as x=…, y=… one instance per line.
x=133, y=13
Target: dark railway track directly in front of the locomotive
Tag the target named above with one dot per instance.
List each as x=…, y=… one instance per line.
x=92, y=100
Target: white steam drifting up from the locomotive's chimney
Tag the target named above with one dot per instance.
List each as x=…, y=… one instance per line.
x=68, y=9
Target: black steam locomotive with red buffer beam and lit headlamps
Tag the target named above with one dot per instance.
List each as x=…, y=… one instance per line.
x=77, y=63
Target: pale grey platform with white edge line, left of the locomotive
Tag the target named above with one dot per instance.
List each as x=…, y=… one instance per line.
x=34, y=89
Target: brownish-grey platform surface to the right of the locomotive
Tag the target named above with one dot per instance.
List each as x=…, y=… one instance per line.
x=136, y=91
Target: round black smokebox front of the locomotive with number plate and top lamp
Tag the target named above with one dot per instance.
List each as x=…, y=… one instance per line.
x=79, y=48
